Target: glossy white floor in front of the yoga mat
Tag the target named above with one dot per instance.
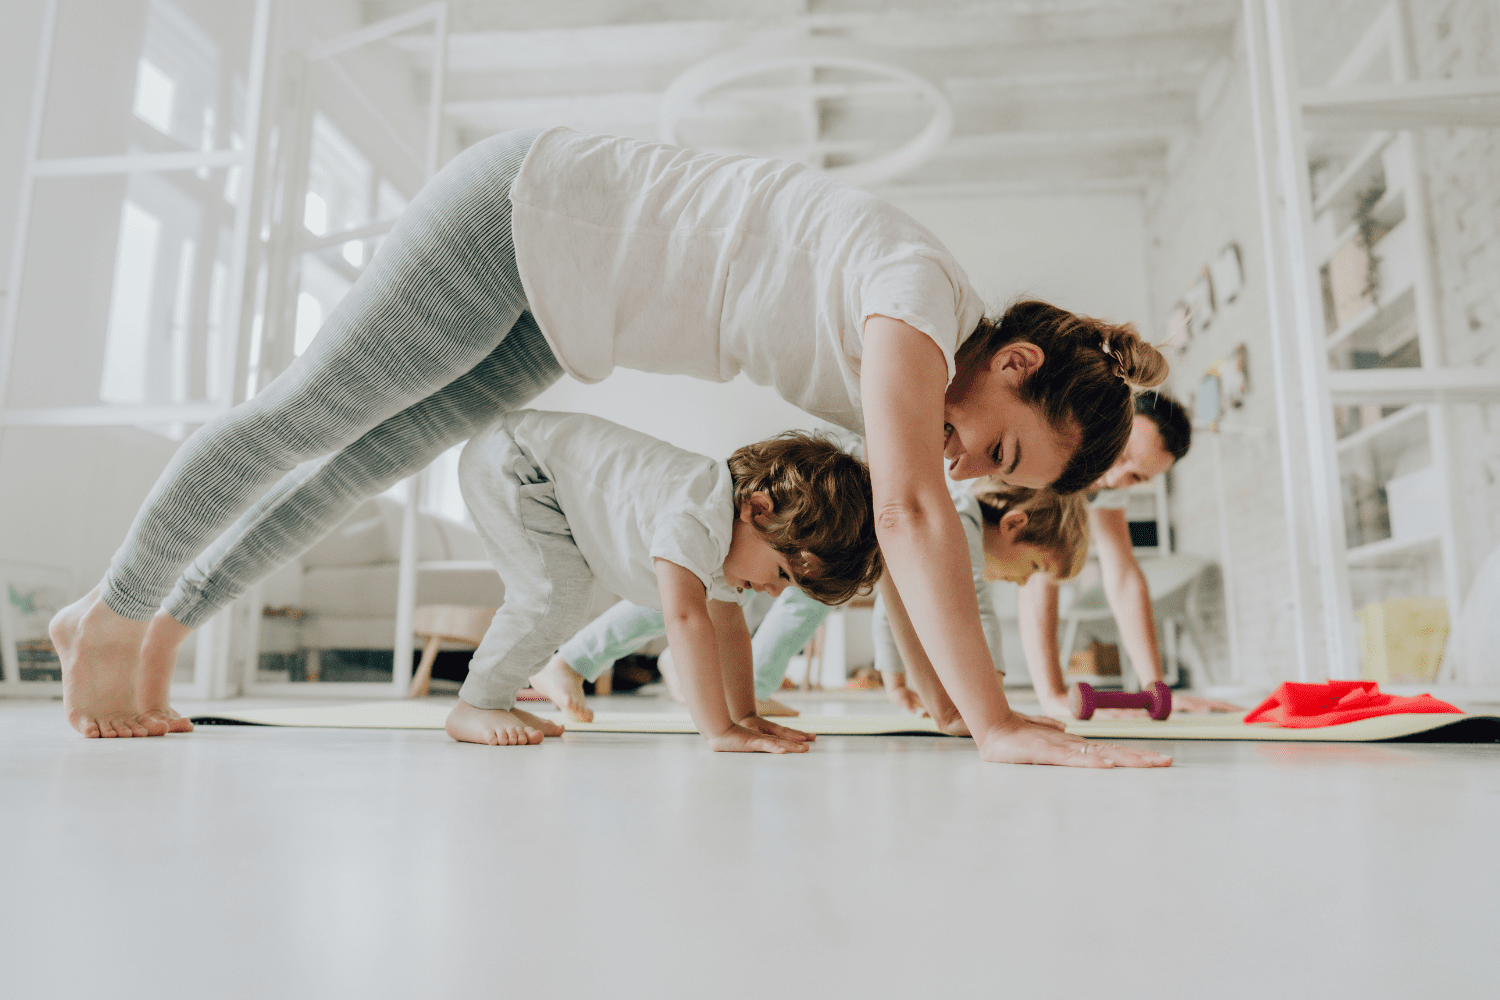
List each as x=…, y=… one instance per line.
x=280, y=863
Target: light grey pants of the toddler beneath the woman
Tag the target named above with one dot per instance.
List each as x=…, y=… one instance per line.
x=550, y=588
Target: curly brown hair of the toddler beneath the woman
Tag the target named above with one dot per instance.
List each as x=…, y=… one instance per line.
x=823, y=512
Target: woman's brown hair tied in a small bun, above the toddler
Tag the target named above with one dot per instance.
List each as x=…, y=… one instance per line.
x=1084, y=382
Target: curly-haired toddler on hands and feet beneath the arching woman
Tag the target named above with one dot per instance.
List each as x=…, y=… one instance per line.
x=563, y=501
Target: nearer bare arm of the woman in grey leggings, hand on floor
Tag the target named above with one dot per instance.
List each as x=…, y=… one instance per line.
x=902, y=382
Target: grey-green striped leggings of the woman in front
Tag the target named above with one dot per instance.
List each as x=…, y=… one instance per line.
x=430, y=346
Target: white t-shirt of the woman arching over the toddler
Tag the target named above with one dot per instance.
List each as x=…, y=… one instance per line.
x=665, y=260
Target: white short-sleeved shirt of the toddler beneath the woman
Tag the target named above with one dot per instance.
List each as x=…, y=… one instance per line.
x=631, y=499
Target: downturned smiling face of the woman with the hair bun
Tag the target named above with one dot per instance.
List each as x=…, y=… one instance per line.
x=989, y=431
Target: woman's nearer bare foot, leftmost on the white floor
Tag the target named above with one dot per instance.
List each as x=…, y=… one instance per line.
x=101, y=665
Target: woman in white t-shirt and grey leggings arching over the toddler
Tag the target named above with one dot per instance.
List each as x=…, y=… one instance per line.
x=535, y=254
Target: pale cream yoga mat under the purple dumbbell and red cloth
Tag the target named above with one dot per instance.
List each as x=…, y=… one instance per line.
x=421, y=714
